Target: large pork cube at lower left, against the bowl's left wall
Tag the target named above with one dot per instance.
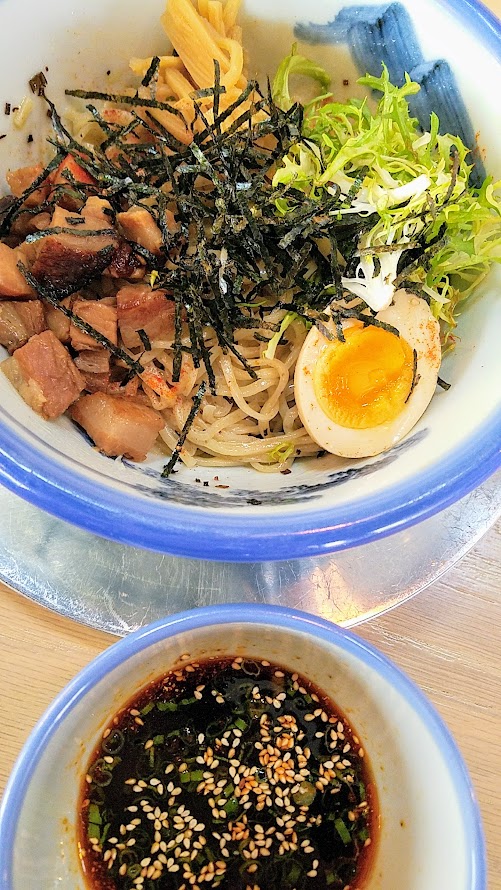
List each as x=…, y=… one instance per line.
x=45, y=375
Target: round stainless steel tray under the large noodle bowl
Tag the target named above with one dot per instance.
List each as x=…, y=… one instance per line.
x=118, y=588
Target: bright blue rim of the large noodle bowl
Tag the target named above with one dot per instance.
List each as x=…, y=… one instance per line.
x=229, y=536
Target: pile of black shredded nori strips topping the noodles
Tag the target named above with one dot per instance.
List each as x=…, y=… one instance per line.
x=220, y=189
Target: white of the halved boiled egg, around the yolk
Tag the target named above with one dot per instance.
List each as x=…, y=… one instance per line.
x=412, y=317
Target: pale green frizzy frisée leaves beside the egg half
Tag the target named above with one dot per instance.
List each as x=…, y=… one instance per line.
x=428, y=229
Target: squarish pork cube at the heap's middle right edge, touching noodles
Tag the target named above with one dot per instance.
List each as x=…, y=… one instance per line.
x=141, y=308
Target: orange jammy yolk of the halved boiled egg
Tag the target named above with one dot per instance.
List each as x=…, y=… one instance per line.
x=366, y=380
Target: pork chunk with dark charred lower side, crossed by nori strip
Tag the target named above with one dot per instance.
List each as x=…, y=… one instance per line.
x=66, y=260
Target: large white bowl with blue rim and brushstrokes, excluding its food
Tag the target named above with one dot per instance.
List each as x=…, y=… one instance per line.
x=324, y=504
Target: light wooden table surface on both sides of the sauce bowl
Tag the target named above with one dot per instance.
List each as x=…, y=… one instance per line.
x=447, y=639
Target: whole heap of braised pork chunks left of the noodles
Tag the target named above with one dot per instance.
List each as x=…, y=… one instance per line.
x=69, y=295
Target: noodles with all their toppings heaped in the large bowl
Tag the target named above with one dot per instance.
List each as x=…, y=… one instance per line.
x=212, y=271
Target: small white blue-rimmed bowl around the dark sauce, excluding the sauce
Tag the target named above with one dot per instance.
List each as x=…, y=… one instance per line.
x=429, y=835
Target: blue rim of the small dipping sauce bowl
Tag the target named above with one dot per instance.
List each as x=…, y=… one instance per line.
x=288, y=619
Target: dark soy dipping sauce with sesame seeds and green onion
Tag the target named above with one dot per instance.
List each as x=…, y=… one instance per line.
x=229, y=773
